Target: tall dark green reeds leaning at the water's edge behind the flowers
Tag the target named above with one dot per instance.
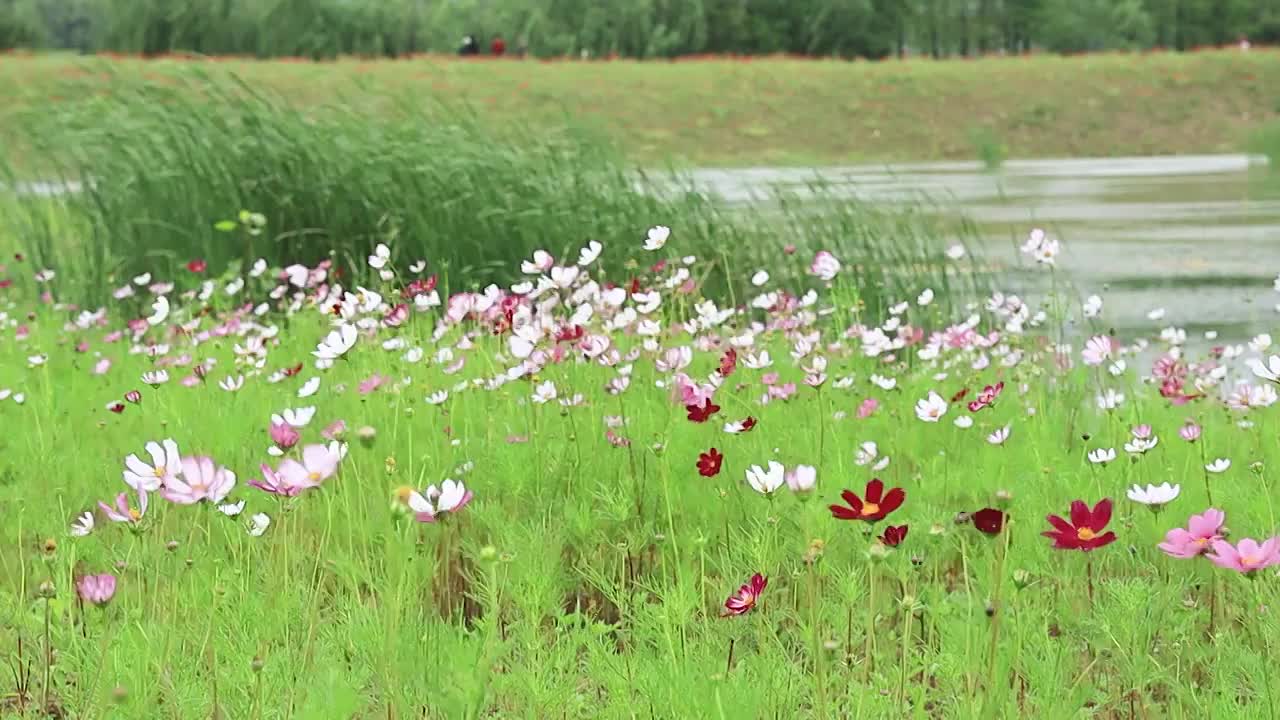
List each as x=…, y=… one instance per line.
x=162, y=166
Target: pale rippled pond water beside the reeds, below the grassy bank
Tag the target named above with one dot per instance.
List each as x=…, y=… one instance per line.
x=1192, y=235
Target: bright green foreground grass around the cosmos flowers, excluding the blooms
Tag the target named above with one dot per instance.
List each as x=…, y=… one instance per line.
x=586, y=580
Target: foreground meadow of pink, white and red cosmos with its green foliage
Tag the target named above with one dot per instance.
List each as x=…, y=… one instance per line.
x=348, y=490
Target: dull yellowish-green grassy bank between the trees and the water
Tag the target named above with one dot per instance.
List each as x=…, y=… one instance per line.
x=765, y=112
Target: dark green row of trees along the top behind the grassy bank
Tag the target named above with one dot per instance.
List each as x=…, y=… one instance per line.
x=636, y=29
